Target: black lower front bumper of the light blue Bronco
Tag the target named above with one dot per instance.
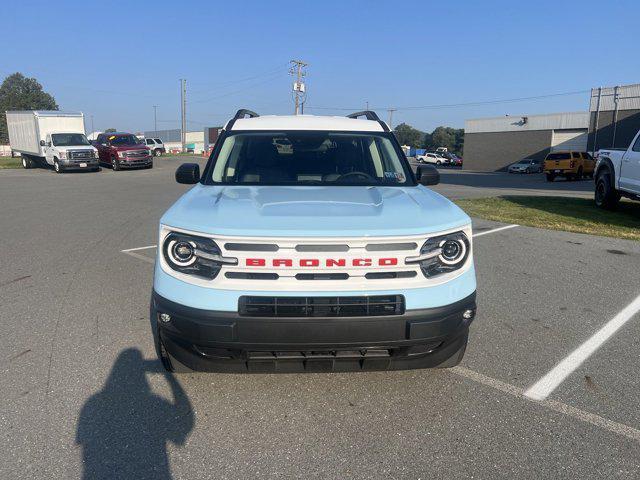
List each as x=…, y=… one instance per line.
x=207, y=340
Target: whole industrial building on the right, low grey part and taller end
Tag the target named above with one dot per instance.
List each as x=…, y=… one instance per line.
x=492, y=144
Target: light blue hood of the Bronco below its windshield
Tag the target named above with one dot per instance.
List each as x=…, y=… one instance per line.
x=264, y=211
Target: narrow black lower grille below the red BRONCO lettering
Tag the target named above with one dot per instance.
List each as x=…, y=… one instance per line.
x=378, y=305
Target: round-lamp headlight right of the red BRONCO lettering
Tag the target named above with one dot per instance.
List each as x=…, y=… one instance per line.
x=442, y=254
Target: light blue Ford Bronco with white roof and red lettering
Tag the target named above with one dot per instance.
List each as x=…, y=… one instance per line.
x=284, y=260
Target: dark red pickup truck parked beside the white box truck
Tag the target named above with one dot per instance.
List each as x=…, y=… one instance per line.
x=123, y=150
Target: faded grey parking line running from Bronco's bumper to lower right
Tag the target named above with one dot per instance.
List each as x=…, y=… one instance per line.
x=587, y=417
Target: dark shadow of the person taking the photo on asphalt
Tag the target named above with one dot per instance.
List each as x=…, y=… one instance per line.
x=123, y=429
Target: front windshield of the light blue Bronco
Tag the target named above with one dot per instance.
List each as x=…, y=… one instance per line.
x=309, y=158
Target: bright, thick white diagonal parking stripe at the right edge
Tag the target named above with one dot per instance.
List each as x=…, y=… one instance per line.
x=547, y=384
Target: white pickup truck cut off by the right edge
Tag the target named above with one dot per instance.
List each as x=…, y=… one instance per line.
x=617, y=174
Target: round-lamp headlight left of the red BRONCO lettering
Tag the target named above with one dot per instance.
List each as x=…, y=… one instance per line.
x=194, y=255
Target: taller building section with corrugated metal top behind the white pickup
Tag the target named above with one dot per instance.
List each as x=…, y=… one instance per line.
x=615, y=116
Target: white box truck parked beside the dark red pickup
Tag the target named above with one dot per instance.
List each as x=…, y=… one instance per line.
x=51, y=137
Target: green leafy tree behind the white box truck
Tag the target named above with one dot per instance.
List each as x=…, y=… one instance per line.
x=18, y=92
